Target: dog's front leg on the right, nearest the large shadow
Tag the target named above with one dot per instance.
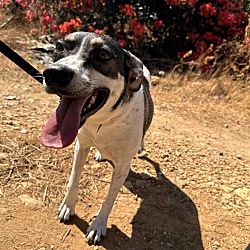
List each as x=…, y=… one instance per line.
x=99, y=224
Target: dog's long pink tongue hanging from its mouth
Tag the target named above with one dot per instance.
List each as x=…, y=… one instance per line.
x=62, y=127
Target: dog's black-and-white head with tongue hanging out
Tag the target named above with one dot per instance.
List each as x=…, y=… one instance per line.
x=90, y=71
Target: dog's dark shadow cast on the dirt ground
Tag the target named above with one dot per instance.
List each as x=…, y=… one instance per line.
x=167, y=217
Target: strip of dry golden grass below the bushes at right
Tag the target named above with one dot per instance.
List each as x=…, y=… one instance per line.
x=223, y=89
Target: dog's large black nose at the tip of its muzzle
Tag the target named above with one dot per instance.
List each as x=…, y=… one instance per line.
x=58, y=75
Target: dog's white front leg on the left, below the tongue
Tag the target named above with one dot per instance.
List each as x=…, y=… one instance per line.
x=67, y=207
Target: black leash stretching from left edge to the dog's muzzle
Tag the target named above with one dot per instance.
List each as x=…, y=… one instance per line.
x=19, y=61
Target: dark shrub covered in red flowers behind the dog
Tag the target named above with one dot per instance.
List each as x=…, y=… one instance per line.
x=163, y=28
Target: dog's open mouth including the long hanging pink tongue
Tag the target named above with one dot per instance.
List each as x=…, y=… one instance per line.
x=63, y=124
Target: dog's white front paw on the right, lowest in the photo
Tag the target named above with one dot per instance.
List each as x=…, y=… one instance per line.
x=97, y=230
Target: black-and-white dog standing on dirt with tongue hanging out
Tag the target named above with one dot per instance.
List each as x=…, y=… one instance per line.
x=106, y=103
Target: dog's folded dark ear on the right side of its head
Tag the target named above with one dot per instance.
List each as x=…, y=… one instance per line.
x=135, y=71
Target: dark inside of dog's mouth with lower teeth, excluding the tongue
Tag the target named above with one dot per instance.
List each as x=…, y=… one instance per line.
x=94, y=103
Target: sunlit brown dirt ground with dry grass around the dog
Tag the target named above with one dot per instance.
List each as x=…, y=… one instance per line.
x=189, y=189
